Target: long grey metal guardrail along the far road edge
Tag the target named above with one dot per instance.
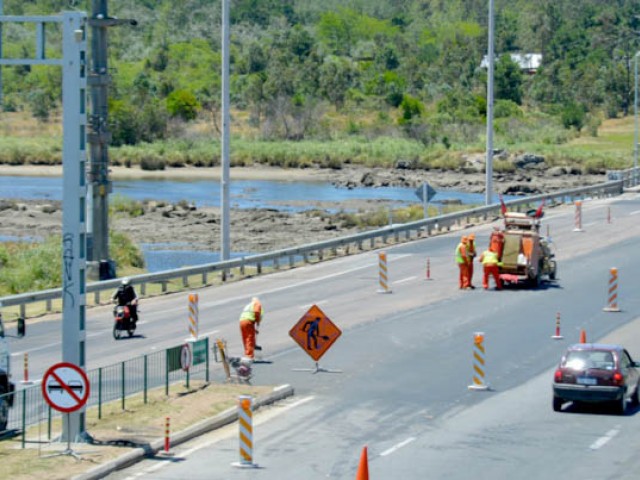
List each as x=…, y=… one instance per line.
x=621, y=179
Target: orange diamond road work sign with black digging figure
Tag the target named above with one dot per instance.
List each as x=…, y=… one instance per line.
x=315, y=333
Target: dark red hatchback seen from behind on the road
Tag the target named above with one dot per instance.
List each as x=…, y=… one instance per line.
x=596, y=373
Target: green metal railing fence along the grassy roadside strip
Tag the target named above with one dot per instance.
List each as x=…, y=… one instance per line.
x=113, y=383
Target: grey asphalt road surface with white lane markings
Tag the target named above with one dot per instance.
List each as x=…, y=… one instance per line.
x=406, y=362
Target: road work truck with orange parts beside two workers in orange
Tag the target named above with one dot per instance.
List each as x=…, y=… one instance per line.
x=525, y=256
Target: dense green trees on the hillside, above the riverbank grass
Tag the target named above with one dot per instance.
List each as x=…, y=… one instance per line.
x=414, y=64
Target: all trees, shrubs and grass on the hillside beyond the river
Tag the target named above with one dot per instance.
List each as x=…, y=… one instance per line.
x=327, y=83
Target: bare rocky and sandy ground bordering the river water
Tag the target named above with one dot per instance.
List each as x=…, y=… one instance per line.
x=260, y=230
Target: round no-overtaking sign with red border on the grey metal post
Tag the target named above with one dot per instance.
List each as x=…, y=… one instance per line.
x=65, y=387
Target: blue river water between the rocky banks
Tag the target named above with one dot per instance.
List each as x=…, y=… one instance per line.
x=242, y=193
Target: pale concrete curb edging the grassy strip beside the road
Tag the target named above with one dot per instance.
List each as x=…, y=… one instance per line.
x=225, y=418
